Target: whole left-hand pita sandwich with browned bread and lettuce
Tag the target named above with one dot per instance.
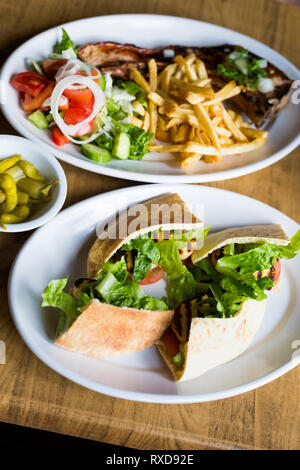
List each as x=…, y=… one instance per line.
x=109, y=313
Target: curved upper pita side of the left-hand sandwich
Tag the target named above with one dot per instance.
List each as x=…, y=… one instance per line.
x=102, y=249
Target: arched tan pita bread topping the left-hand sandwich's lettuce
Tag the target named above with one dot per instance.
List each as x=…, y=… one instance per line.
x=103, y=248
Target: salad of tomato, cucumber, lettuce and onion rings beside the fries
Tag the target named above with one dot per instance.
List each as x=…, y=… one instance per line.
x=79, y=104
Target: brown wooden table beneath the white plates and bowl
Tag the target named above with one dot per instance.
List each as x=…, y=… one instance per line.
x=33, y=395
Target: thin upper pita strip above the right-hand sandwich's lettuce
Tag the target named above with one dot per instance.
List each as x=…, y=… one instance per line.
x=272, y=233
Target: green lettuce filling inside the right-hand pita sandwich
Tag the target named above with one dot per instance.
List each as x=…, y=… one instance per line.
x=232, y=280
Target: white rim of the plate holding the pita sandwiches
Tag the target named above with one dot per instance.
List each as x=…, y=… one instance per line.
x=127, y=394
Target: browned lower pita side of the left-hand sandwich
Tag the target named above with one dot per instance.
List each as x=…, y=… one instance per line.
x=104, y=330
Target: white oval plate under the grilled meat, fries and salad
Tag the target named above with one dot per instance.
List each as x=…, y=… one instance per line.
x=152, y=31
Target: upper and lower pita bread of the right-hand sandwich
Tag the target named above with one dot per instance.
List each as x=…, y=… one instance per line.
x=214, y=341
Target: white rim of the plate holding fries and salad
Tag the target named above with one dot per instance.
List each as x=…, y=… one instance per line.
x=153, y=177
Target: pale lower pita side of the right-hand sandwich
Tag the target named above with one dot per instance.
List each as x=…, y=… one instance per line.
x=215, y=341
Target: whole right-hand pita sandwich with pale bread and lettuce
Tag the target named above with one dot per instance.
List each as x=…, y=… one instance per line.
x=235, y=267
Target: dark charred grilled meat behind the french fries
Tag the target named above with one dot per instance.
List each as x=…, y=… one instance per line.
x=259, y=107
